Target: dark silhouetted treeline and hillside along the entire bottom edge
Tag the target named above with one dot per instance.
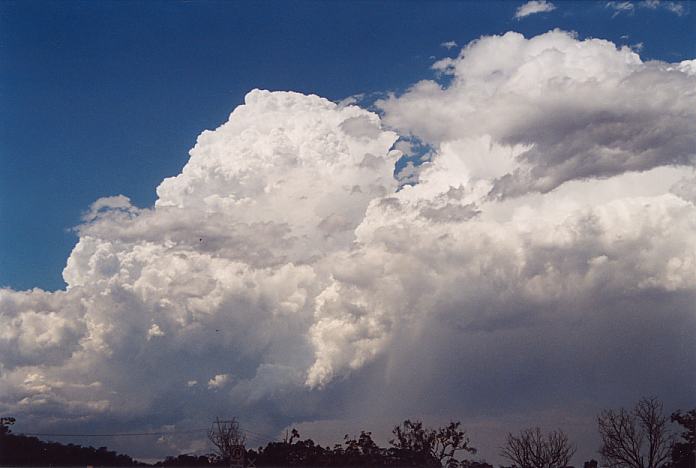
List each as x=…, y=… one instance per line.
x=640, y=437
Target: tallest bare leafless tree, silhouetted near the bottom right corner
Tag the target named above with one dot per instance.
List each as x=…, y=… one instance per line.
x=638, y=438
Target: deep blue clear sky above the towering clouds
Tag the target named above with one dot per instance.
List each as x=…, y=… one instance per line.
x=106, y=98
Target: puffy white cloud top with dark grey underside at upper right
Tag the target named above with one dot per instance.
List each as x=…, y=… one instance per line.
x=578, y=106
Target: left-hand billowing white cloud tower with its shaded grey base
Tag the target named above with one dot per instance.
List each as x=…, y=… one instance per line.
x=218, y=278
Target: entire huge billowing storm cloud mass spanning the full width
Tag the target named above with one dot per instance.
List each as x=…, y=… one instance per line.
x=284, y=259
